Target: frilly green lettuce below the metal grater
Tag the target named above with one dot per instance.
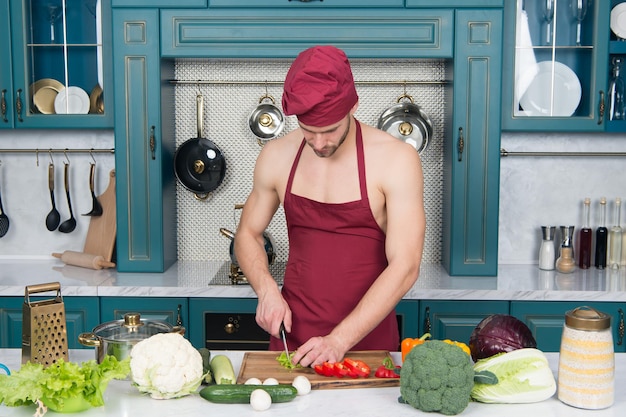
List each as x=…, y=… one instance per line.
x=62, y=386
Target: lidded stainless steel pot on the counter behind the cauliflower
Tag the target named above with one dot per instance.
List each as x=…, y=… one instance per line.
x=118, y=337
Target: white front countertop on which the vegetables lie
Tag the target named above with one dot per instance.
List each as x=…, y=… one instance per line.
x=122, y=399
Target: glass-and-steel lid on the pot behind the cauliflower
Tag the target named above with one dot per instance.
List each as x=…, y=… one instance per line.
x=131, y=328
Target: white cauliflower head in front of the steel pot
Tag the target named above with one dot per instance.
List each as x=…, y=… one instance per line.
x=166, y=366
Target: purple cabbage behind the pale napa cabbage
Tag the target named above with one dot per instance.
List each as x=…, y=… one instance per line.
x=499, y=333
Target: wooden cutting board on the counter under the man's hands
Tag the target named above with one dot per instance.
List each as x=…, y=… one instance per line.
x=264, y=365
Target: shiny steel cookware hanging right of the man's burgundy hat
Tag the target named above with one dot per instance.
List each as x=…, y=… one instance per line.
x=408, y=122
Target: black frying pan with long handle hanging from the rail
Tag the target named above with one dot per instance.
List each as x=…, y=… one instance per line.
x=199, y=164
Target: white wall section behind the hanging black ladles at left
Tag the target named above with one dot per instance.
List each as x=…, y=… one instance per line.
x=24, y=188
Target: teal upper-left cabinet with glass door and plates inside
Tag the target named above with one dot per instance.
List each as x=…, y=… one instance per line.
x=61, y=67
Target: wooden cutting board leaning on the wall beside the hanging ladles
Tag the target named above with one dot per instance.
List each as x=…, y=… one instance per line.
x=100, y=238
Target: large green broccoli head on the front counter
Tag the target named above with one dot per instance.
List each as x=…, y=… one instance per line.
x=437, y=376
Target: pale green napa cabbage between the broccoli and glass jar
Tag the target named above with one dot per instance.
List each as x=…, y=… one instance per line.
x=524, y=376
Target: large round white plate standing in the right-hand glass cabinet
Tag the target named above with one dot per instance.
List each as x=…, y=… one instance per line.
x=543, y=99
